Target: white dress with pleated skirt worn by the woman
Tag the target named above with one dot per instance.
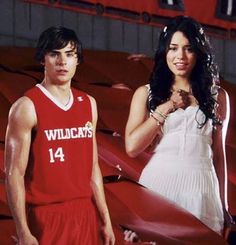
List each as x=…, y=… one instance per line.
x=181, y=168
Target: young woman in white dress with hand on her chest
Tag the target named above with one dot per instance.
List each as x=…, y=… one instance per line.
x=183, y=114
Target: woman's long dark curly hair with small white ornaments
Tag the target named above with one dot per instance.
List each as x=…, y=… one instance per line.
x=204, y=75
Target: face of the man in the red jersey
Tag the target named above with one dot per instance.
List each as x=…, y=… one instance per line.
x=60, y=64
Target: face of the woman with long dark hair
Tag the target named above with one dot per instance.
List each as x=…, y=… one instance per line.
x=180, y=57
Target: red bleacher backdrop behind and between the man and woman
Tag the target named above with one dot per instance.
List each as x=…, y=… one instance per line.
x=112, y=77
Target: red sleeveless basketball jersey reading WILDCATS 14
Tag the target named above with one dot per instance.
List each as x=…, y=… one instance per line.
x=61, y=155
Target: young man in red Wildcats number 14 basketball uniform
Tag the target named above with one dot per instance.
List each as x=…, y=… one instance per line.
x=53, y=178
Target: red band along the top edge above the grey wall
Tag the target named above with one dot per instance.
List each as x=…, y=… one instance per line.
x=203, y=11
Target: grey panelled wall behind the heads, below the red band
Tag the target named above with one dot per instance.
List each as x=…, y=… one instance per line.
x=22, y=22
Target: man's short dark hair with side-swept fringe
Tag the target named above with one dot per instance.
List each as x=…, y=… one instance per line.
x=57, y=38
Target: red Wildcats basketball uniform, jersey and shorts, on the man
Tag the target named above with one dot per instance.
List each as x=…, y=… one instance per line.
x=60, y=164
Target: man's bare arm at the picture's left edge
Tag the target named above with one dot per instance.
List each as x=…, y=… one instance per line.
x=21, y=121
